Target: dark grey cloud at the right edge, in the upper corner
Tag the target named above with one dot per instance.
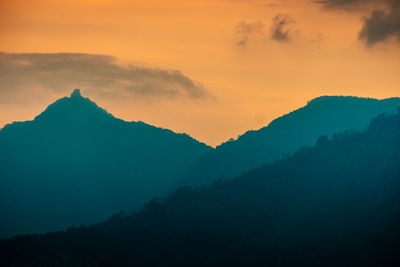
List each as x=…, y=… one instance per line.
x=380, y=25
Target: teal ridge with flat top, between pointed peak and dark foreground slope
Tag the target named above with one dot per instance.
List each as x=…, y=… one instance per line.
x=324, y=115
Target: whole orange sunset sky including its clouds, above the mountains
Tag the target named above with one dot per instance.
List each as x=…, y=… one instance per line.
x=211, y=68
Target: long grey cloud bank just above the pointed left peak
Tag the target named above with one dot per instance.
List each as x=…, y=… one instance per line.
x=100, y=73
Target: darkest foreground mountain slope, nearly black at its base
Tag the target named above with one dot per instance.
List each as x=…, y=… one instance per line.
x=334, y=204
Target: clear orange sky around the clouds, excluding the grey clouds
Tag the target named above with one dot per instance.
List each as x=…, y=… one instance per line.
x=247, y=85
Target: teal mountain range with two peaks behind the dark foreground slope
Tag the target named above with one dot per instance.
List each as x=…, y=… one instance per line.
x=75, y=163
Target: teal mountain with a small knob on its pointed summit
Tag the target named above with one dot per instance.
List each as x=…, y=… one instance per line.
x=76, y=163
